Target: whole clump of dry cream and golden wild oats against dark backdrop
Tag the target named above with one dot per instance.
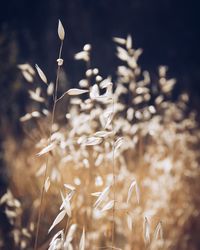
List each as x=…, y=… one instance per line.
x=111, y=164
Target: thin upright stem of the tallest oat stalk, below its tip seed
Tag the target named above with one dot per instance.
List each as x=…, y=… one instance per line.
x=47, y=159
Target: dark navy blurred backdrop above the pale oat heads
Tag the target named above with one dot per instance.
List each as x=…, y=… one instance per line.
x=167, y=30
